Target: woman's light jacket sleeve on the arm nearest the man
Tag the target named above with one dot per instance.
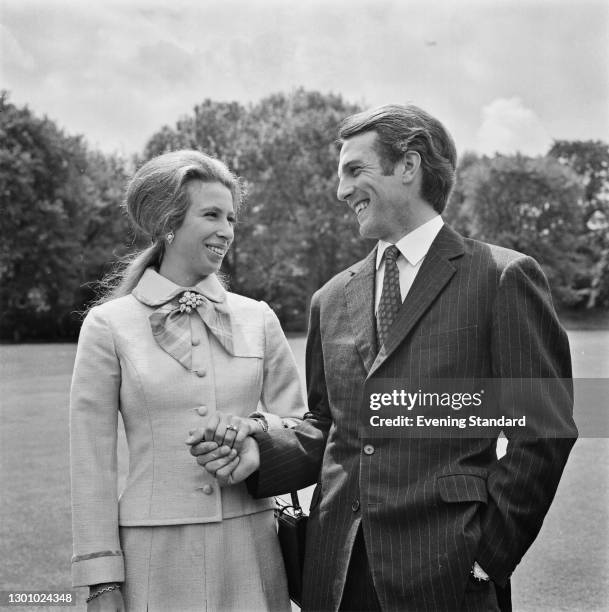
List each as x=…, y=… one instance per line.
x=282, y=398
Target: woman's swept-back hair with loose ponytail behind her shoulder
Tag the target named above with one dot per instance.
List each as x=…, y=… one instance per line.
x=156, y=202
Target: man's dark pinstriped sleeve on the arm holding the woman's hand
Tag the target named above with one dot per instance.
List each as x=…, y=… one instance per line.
x=290, y=459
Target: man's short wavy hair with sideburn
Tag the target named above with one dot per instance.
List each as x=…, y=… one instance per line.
x=409, y=128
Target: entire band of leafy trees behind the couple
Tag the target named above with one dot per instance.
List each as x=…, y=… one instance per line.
x=62, y=225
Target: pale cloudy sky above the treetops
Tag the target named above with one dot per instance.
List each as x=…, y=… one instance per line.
x=502, y=75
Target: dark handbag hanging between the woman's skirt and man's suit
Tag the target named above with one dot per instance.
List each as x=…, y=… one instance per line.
x=292, y=530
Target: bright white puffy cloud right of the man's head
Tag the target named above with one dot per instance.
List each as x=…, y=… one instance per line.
x=508, y=126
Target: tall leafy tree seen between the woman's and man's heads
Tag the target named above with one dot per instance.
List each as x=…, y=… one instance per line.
x=301, y=235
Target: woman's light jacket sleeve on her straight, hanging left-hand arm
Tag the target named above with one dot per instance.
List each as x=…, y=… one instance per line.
x=94, y=401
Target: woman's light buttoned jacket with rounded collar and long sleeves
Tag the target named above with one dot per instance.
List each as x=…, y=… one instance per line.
x=120, y=367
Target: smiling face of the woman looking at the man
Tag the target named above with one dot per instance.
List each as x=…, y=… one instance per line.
x=201, y=242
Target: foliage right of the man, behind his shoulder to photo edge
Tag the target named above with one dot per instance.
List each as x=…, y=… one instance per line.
x=538, y=206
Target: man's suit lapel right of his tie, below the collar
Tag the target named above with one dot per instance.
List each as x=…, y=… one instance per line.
x=436, y=270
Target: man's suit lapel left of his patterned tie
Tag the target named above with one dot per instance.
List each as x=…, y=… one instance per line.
x=359, y=294
